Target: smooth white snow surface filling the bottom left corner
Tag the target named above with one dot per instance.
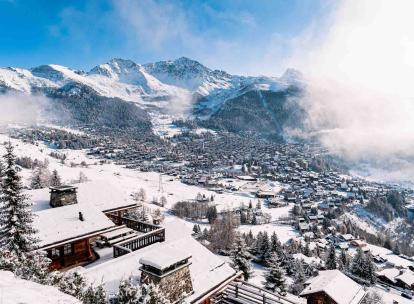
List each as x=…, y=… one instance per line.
x=14, y=290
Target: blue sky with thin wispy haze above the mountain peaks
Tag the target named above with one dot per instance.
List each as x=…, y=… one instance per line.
x=245, y=37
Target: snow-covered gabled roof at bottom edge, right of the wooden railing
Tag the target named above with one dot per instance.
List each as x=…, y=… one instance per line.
x=337, y=286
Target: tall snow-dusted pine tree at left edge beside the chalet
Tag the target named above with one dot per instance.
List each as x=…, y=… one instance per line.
x=17, y=233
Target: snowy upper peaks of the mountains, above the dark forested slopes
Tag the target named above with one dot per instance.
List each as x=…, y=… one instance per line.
x=182, y=86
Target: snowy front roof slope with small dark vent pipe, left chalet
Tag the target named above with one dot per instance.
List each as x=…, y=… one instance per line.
x=59, y=224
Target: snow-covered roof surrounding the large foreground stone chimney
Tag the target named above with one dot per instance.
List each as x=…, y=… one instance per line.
x=207, y=269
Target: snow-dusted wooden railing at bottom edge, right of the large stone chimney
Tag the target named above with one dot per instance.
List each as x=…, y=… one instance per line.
x=240, y=292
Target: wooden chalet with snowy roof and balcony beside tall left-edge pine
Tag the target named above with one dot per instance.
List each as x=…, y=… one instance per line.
x=73, y=219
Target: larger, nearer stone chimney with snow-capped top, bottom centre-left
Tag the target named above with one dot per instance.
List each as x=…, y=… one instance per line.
x=170, y=271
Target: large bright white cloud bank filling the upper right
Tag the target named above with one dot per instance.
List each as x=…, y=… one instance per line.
x=360, y=71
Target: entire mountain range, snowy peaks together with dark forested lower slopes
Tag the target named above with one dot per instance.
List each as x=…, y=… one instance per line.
x=122, y=93
